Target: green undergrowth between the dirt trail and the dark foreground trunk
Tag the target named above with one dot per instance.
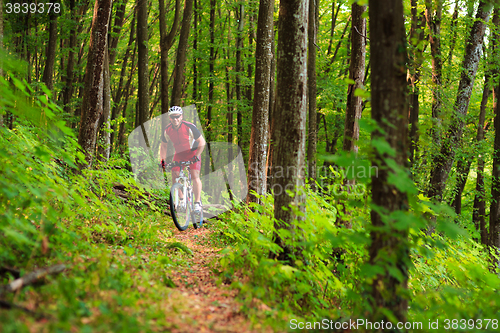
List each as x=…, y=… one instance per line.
x=311, y=285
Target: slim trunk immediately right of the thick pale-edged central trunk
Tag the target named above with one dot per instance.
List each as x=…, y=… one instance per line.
x=312, y=141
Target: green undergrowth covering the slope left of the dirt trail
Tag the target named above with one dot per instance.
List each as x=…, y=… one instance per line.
x=50, y=214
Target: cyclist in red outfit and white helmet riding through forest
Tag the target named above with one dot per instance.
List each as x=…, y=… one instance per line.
x=188, y=144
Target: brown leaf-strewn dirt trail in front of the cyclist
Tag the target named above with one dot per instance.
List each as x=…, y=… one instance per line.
x=209, y=307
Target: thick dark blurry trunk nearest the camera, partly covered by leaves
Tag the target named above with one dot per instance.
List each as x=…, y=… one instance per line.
x=389, y=249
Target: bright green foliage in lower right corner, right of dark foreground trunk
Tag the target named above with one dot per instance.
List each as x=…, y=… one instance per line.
x=454, y=283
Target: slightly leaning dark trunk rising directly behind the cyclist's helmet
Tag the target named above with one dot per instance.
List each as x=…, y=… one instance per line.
x=181, y=54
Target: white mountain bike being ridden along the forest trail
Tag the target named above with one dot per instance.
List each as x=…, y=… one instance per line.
x=182, y=198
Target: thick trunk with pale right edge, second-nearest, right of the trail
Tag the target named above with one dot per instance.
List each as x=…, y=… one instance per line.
x=290, y=130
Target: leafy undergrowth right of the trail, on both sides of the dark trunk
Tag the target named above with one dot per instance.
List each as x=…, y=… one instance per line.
x=450, y=277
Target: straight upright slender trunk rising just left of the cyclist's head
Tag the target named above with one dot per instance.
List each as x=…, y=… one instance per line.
x=142, y=62
